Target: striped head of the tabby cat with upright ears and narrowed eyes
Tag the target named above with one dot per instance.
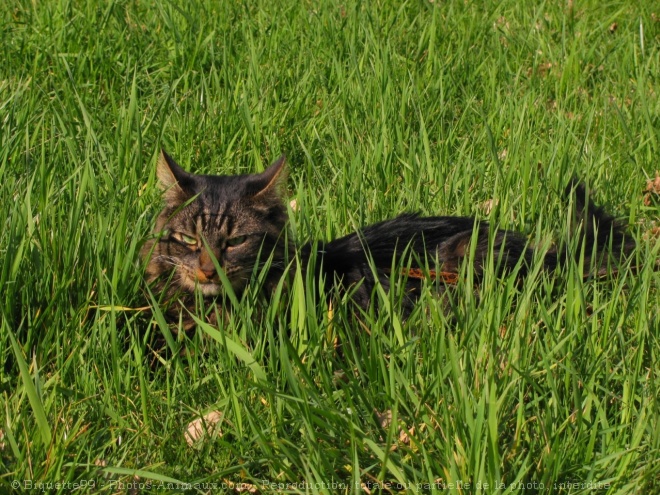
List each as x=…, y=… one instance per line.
x=237, y=220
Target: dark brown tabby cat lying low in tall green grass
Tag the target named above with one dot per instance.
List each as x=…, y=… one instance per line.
x=240, y=223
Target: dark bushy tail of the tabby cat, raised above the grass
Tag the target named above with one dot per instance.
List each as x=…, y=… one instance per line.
x=601, y=236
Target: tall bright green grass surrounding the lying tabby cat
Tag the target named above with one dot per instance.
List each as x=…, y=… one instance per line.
x=381, y=107
